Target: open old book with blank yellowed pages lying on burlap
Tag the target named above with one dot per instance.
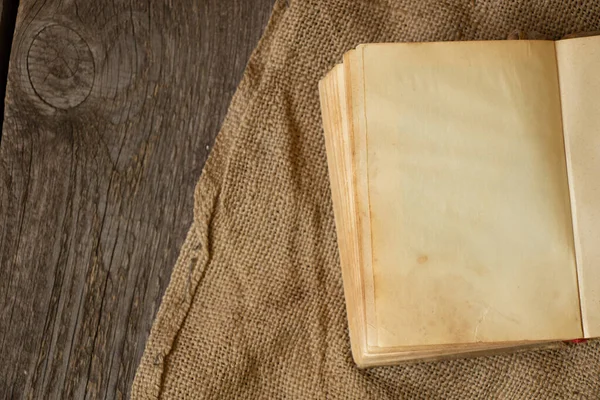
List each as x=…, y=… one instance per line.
x=465, y=179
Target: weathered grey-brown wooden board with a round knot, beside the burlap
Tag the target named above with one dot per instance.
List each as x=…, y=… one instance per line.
x=111, y=110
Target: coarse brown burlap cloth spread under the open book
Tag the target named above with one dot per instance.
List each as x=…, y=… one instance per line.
x=255, y=307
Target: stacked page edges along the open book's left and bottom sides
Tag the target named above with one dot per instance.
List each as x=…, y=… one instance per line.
x=340, y=154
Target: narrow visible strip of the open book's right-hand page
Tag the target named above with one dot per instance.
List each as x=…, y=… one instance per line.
x=578, y=66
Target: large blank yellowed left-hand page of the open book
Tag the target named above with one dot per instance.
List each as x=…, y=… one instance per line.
x=470, y=217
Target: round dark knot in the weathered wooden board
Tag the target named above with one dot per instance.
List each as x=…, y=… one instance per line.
x=60, y=66
